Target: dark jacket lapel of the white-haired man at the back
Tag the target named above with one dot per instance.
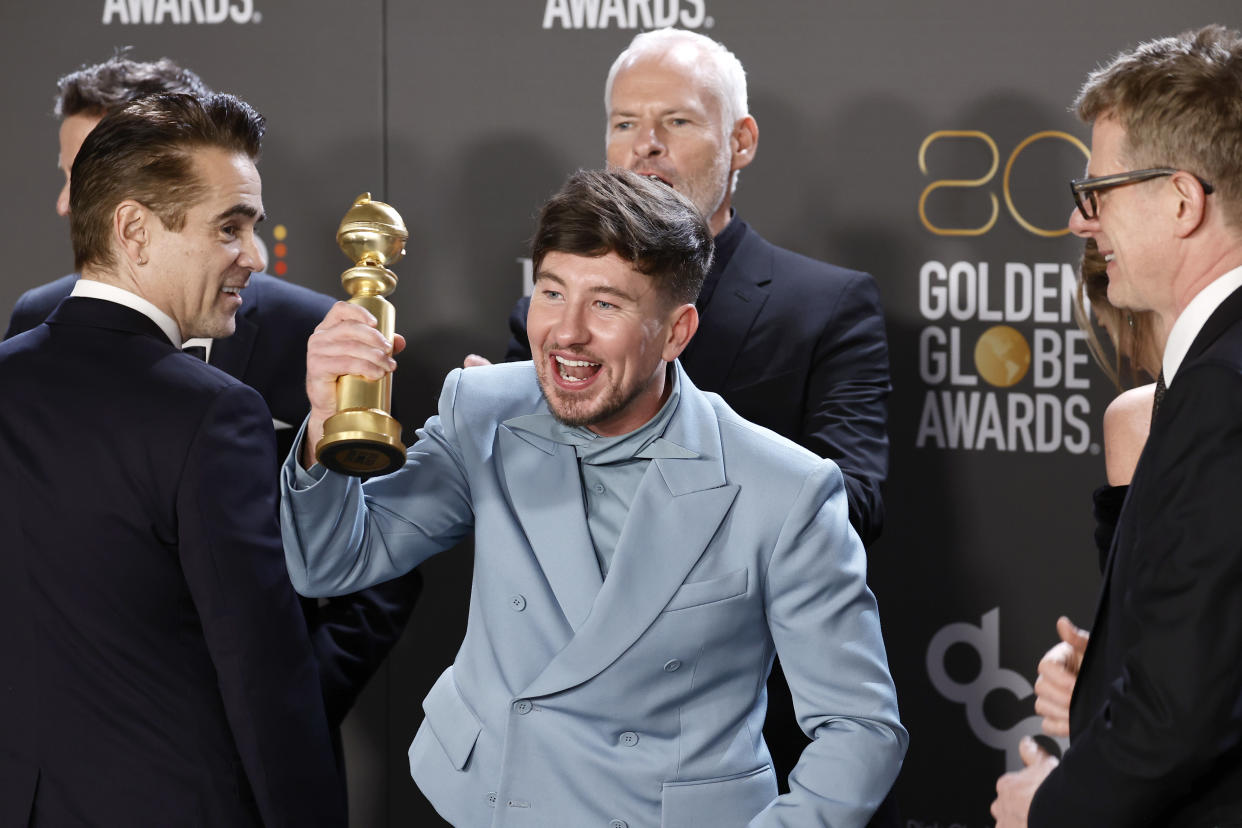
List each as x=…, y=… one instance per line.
x=736, y=304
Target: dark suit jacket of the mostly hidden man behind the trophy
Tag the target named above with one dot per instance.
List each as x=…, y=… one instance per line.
x=351, y=635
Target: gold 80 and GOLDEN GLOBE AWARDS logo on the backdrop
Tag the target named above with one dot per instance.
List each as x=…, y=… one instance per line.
x=1003, y=362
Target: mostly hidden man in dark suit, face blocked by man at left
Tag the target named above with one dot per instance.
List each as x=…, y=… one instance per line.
x=351, y=635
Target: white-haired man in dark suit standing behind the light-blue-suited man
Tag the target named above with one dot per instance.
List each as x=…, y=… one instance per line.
x=791, y=343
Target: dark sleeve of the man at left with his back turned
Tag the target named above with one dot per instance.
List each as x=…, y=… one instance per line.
x=230, y=553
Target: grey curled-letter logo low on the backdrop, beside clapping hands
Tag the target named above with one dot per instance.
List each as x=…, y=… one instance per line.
x=990, y=678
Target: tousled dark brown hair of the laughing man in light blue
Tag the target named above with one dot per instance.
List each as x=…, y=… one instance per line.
x=643, y=222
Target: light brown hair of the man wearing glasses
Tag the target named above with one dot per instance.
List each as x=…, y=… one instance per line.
x=1181, y=104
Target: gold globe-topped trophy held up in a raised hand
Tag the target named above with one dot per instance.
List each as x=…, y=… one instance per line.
x=363, y=439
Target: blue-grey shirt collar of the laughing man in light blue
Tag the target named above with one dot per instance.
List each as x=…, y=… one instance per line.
x=646, y=443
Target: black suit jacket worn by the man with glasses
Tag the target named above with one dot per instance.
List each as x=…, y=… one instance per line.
x=1157, y=713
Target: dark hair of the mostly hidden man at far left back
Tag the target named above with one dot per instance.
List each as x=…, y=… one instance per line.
x=106, y=88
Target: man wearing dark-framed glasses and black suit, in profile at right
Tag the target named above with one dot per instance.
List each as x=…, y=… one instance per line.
x=1156, y=719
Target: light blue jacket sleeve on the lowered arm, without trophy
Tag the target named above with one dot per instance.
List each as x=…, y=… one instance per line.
x=825, y=625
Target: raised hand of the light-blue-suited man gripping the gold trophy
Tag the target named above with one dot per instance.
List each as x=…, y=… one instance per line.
x=346, y=342
